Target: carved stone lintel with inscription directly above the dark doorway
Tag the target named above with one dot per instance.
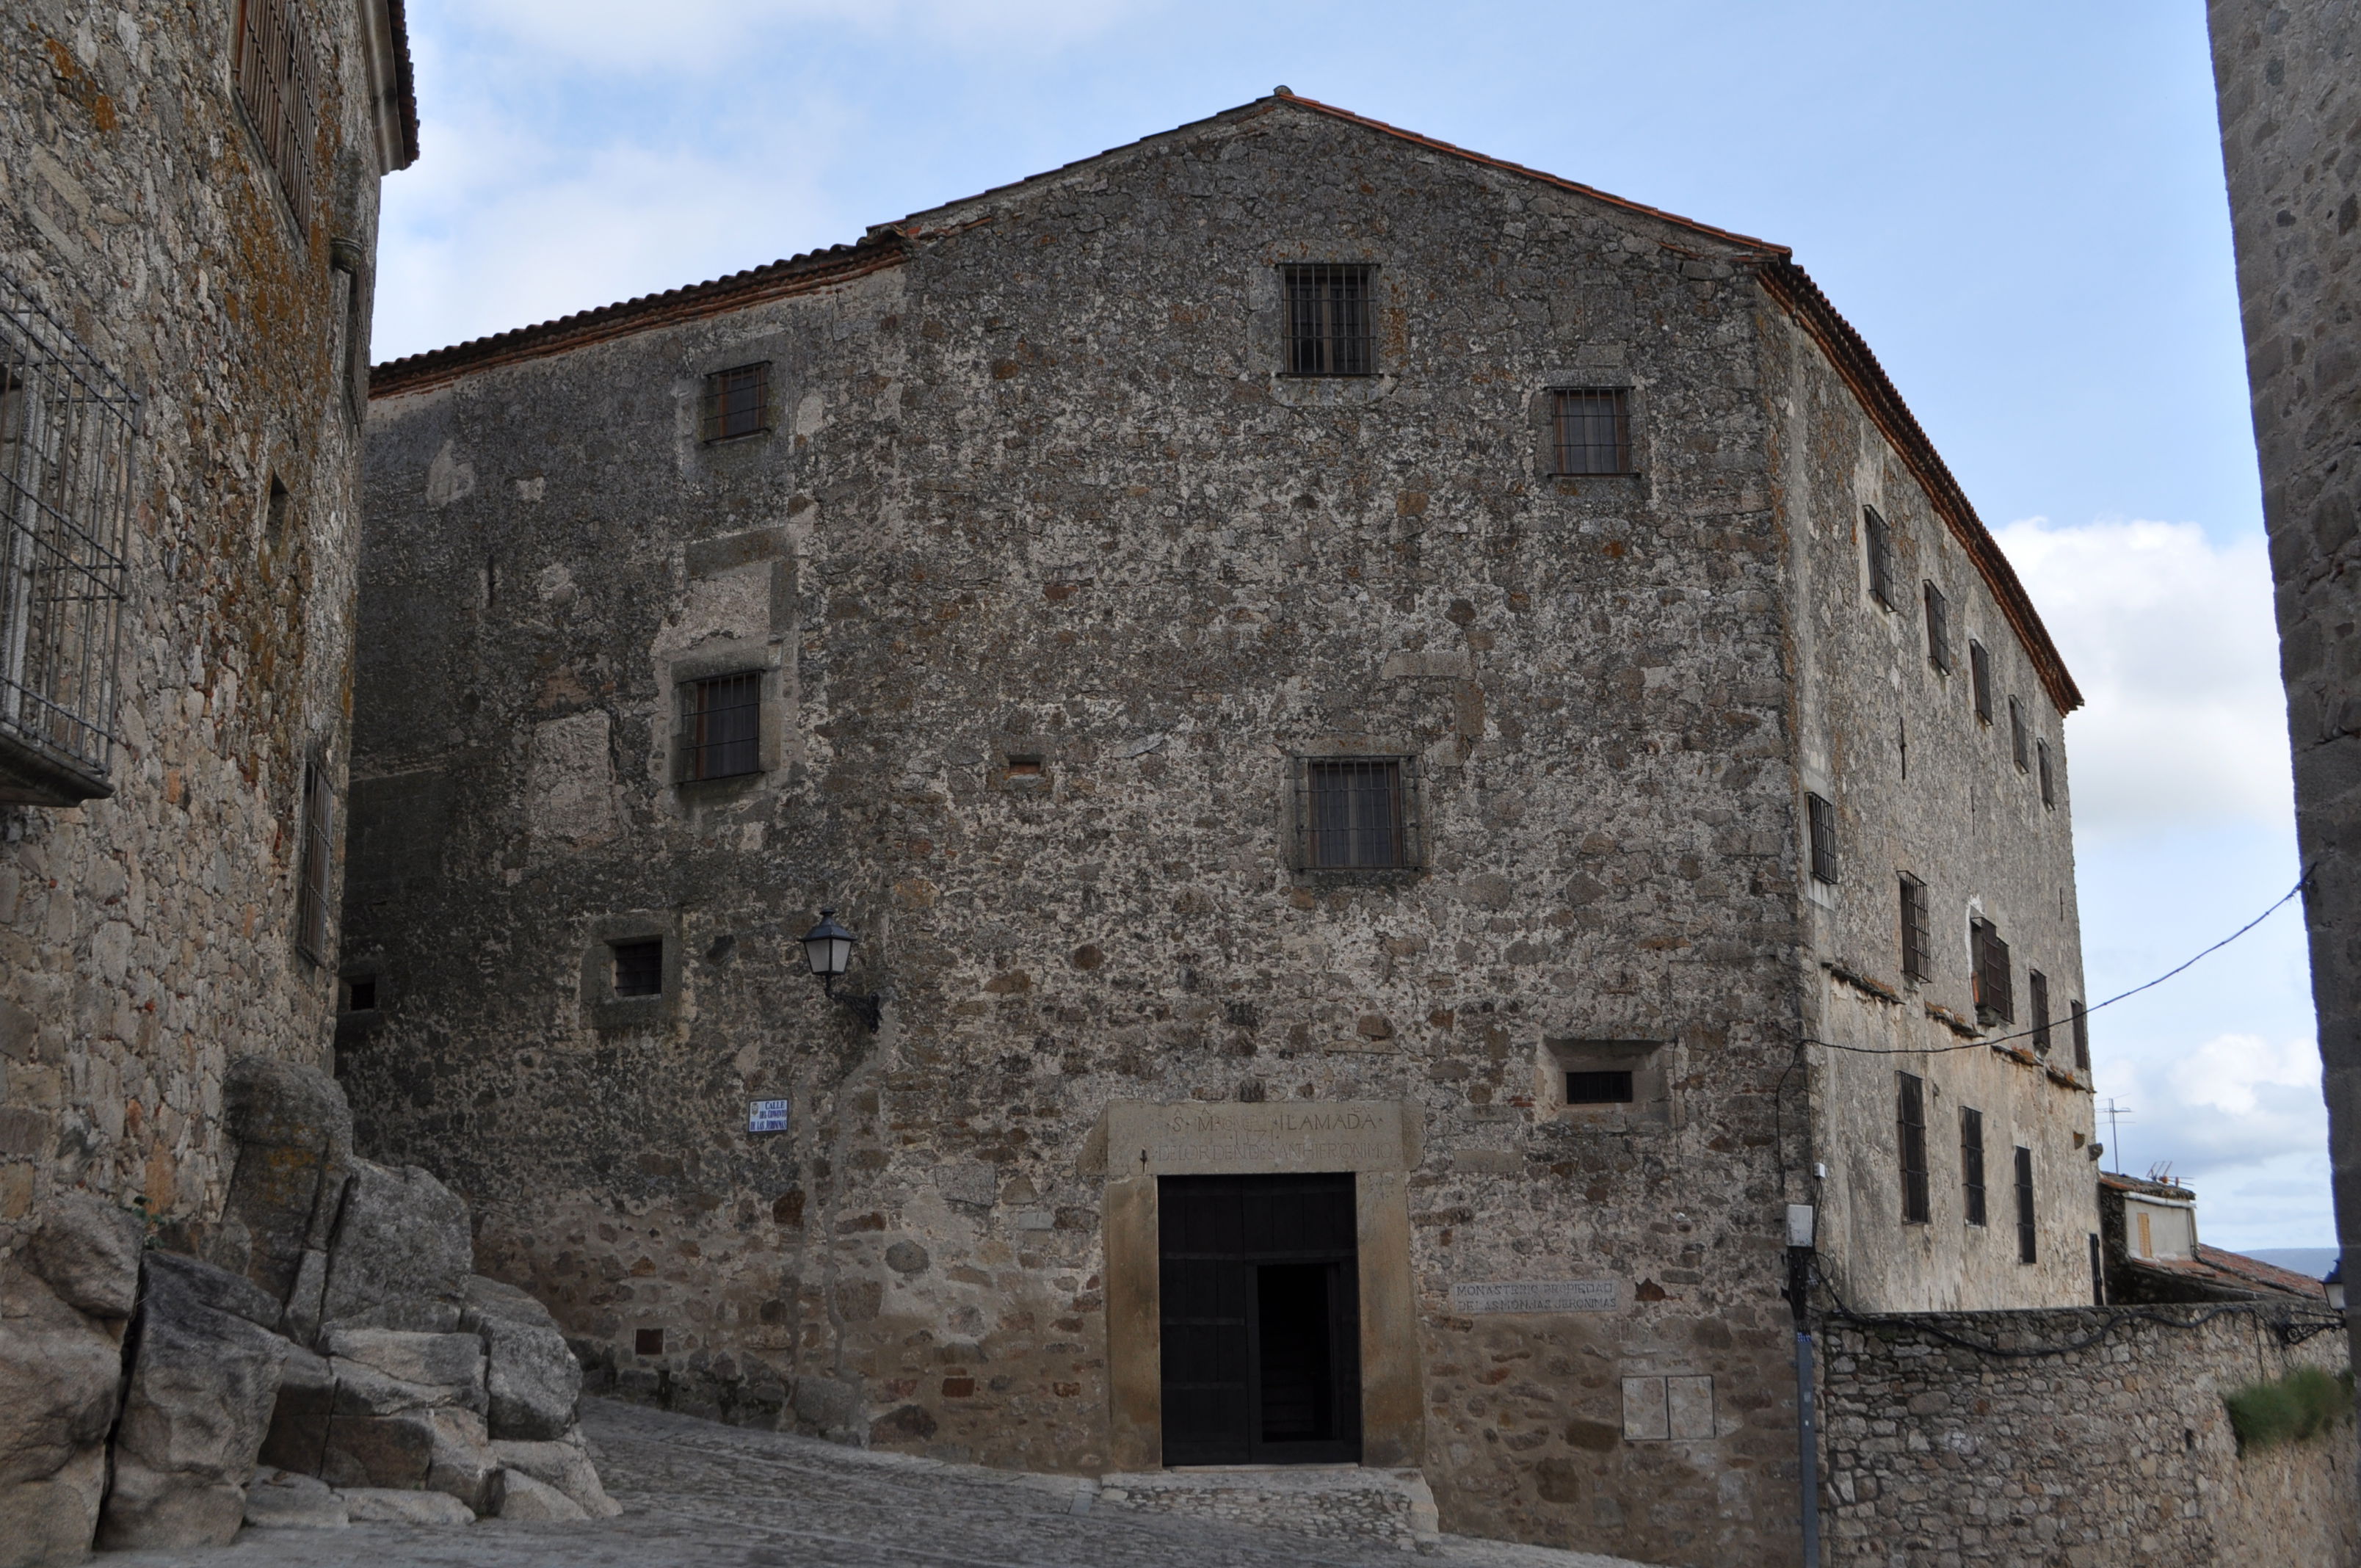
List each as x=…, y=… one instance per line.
x=1241, y=1139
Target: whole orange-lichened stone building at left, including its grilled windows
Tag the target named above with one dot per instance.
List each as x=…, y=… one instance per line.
x=188, y=221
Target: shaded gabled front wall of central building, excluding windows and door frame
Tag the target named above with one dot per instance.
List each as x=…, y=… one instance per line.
x=1040, y=495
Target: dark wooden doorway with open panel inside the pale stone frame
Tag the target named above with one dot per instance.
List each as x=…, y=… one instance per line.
x=1262, y=1319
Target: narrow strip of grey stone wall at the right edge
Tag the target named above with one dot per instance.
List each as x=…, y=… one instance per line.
x=2289, y=89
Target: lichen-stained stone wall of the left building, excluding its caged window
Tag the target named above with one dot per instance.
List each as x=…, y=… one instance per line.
x=148, y=936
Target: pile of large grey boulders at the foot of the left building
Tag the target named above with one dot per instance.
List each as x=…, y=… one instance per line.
x=334, y=1338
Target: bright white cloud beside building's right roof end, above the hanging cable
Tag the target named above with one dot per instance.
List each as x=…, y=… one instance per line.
x=2178, y=658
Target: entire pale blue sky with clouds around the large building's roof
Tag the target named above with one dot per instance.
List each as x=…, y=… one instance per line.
x=2017, y=204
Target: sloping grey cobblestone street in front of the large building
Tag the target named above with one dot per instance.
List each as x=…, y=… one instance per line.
x=705, y=1496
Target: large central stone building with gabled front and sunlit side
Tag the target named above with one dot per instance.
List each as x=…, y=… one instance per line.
x=1415, y=750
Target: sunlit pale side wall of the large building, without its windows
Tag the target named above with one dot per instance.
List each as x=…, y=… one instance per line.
x=1925, y=788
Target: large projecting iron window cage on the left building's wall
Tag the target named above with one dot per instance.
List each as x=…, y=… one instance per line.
x=67, y=452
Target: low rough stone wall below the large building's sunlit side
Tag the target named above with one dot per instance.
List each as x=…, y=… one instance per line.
x=2110, y=1453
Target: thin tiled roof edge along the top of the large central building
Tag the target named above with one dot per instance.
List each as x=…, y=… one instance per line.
x=887, y=244
